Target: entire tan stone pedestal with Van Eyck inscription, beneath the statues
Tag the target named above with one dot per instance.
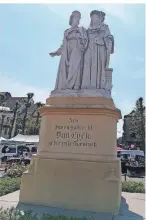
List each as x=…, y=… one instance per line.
x=76, y=166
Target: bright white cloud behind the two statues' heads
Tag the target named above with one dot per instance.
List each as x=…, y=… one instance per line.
x=119, y=11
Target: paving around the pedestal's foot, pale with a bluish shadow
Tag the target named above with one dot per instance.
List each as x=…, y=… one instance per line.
x=132, y=208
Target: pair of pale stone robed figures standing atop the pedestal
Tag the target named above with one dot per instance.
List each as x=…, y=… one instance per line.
x=84, y=54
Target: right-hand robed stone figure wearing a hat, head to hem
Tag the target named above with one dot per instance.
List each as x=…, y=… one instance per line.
x=97, y=55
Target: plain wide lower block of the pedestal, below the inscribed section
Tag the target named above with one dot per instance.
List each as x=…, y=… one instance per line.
x=80, y=185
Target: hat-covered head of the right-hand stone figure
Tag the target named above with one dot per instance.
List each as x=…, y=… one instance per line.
x=97, y=17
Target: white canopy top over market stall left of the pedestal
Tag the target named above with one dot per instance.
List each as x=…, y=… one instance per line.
x=24, y=138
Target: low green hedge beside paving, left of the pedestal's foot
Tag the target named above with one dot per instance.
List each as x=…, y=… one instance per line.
x=9, y=185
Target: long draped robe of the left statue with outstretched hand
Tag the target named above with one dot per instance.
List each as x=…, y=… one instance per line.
x=71, y=63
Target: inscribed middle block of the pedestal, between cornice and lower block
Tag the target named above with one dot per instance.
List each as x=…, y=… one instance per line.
x=77, y=135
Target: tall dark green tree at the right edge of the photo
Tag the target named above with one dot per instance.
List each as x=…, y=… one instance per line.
x=137, y=125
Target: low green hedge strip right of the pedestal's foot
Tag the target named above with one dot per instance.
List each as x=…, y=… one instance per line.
x=133, y=187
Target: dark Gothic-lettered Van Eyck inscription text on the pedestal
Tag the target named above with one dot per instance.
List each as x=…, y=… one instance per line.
x=73, y=135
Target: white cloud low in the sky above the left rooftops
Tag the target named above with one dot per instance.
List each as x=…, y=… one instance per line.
x=17, y=88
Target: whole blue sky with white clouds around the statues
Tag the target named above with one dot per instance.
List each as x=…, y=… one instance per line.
x=29, y=32
